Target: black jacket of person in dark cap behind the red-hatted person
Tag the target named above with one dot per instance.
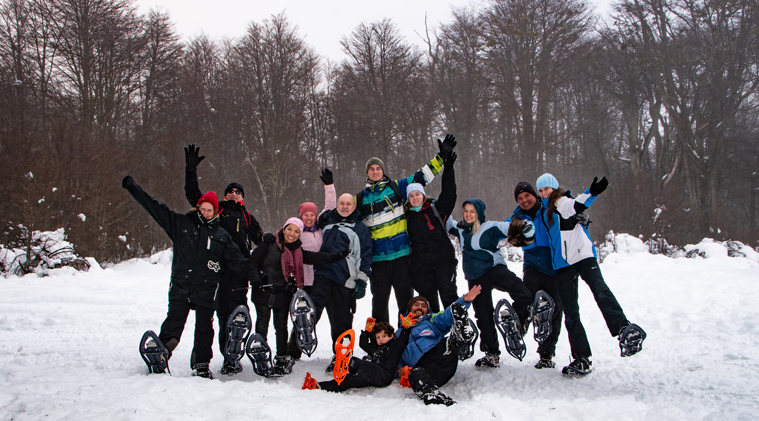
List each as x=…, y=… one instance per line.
x=233, y=216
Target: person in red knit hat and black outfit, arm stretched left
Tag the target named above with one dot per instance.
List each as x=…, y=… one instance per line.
x=201, y=248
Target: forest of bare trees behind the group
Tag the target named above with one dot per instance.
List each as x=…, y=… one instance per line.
x=660, y=96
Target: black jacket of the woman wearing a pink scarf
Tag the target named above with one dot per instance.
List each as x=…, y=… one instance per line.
x=268, y=285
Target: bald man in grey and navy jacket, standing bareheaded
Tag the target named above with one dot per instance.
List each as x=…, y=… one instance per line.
x=342, y=282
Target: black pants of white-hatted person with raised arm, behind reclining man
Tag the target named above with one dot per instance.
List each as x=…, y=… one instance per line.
x=431, y=281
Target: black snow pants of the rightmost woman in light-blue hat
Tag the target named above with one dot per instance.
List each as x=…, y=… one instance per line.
x=567, y=281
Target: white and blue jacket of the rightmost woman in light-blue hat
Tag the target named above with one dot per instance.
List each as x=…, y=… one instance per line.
x=569, y=240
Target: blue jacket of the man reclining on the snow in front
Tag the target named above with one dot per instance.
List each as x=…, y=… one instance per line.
x=428, y=331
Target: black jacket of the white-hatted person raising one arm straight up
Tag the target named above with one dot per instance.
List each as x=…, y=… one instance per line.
x=430, y=244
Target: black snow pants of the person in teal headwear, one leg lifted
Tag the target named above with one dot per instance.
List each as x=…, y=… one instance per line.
x=502, y=279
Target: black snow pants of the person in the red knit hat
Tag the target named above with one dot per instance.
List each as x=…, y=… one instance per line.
x=173, y=326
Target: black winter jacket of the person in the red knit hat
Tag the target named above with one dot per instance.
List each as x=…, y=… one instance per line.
x=201, y=249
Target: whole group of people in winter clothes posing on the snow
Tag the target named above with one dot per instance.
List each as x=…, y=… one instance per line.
x=390, y=237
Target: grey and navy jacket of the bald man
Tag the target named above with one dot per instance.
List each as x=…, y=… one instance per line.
x=346, y=233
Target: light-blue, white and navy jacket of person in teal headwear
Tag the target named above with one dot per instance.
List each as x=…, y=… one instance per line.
x=480, y=251
